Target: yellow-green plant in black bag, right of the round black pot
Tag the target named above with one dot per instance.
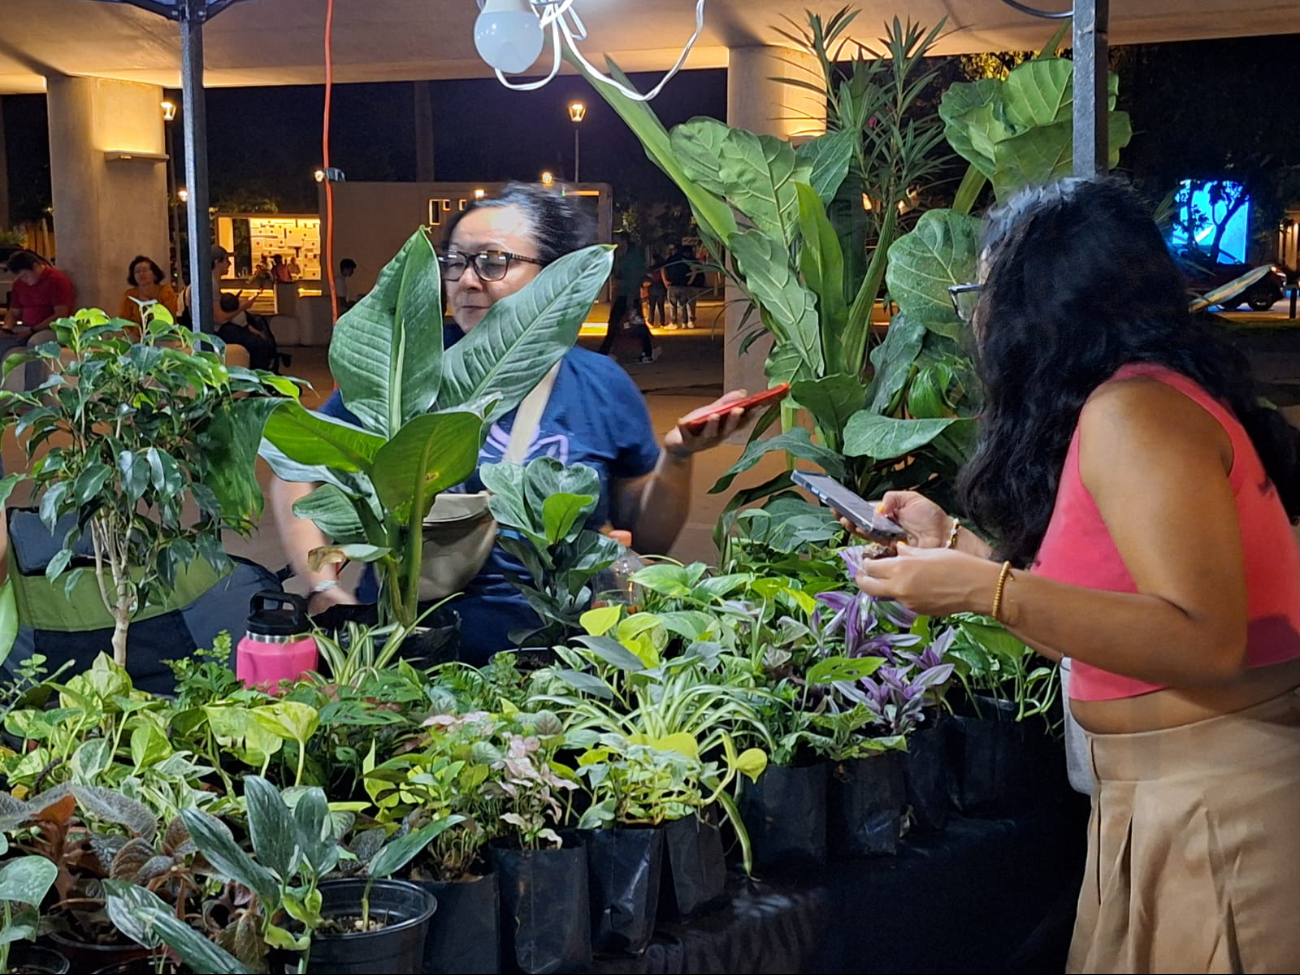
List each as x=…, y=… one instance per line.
x=447, y=777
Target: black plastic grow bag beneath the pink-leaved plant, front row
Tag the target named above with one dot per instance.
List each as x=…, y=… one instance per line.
x=547, y=921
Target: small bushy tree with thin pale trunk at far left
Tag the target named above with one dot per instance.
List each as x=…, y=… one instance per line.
x=123, y=436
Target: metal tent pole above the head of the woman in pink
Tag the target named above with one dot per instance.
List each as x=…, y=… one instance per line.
x=1091, y=88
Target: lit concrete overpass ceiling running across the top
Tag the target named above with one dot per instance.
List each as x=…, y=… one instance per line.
x=279, y=42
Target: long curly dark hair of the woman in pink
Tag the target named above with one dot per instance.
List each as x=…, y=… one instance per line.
x=1080, y=284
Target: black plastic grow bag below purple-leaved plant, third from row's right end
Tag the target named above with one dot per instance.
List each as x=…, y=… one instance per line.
x=865, y=816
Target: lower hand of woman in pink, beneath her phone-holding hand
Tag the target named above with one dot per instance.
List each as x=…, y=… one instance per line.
x=933, y=582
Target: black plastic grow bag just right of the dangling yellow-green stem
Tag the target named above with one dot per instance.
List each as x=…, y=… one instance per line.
x=785, y=813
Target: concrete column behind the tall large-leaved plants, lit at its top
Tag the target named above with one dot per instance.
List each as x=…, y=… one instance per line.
x=757, y=102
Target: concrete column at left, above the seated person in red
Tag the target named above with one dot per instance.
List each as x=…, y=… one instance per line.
x=109, y=175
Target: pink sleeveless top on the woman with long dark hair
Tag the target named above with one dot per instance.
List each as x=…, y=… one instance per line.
x=1077, y=549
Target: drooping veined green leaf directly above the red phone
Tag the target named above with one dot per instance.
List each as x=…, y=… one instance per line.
x=787, y=307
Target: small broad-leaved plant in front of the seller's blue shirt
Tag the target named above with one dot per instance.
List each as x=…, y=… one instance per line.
x=543, y=510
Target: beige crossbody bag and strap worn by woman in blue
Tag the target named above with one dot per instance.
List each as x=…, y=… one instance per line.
x=460, y=531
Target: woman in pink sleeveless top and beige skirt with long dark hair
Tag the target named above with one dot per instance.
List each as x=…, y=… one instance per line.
x=1141, y=502
